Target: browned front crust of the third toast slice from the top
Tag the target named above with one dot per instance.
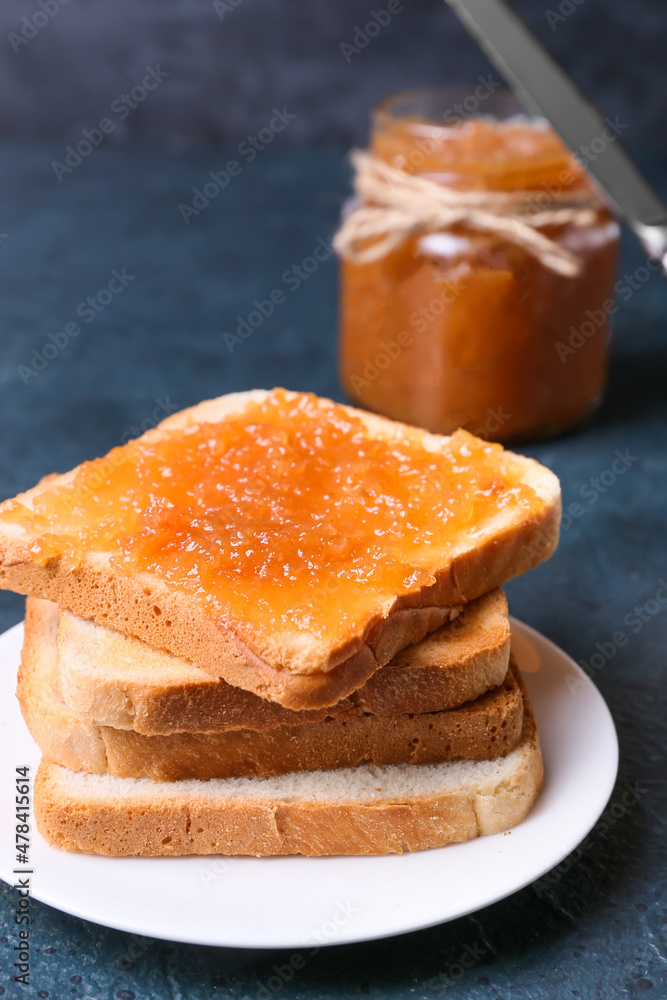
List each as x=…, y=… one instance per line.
x=479, y=730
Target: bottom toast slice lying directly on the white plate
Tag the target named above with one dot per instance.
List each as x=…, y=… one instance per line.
x=353, y=811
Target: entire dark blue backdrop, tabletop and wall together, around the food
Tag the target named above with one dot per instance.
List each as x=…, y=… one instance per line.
x=598, y=930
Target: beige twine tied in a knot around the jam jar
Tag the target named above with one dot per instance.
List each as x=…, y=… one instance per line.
x=395, y=205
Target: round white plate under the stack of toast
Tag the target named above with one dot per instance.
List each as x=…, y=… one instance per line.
x=293, y=902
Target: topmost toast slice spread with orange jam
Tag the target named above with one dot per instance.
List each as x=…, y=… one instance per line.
x=341, y=595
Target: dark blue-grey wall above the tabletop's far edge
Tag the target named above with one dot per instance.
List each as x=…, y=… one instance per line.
x=230, y=63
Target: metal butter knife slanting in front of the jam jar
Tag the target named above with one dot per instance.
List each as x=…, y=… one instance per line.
x=546, y=90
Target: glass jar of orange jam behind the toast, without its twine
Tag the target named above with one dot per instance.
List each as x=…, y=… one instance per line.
x=466, y=326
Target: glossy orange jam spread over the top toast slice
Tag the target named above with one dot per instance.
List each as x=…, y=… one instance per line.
x=286, y=516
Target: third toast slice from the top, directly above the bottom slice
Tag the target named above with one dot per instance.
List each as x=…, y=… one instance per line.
x=485, y=728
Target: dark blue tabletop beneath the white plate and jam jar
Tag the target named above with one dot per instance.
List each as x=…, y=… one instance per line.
x=596, y=927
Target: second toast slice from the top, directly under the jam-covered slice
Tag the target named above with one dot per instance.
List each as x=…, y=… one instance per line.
x=114, y=680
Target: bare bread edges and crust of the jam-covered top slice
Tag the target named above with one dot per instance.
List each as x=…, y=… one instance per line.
x=308, y=677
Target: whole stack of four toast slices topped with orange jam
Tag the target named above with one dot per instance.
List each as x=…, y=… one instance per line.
x=276, y=625
